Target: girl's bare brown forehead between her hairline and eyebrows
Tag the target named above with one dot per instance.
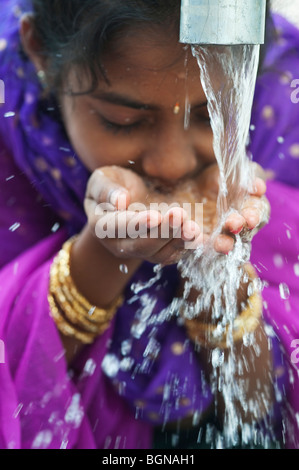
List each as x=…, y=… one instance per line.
x=152, y=59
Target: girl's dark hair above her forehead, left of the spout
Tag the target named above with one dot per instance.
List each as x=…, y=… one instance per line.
x=76, y=32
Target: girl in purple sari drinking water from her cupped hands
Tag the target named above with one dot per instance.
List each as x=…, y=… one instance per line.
x=93, y=114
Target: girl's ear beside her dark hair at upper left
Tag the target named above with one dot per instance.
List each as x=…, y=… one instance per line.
x=30, y=42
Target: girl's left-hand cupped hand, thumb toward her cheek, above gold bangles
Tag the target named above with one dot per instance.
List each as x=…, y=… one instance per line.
x=118, y=205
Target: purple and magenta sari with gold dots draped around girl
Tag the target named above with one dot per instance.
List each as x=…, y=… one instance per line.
x=135, y=376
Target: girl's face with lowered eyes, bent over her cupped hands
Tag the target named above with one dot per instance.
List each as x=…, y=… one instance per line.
x=137, y=120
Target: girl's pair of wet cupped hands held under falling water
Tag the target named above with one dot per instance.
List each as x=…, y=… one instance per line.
x=121, y=210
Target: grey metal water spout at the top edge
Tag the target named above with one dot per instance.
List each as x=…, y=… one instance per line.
x=223, y=22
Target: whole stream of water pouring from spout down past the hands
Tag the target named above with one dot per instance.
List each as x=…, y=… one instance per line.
x=228, y=76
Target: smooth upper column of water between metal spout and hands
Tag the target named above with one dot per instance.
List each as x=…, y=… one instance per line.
x=228, y=76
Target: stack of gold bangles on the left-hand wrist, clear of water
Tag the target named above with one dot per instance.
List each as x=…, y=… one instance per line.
x=71, y=311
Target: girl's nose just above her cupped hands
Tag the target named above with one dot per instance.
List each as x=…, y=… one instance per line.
x=170, y=156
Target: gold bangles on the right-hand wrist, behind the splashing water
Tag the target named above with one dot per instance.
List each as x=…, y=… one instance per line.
x=207, y=335
